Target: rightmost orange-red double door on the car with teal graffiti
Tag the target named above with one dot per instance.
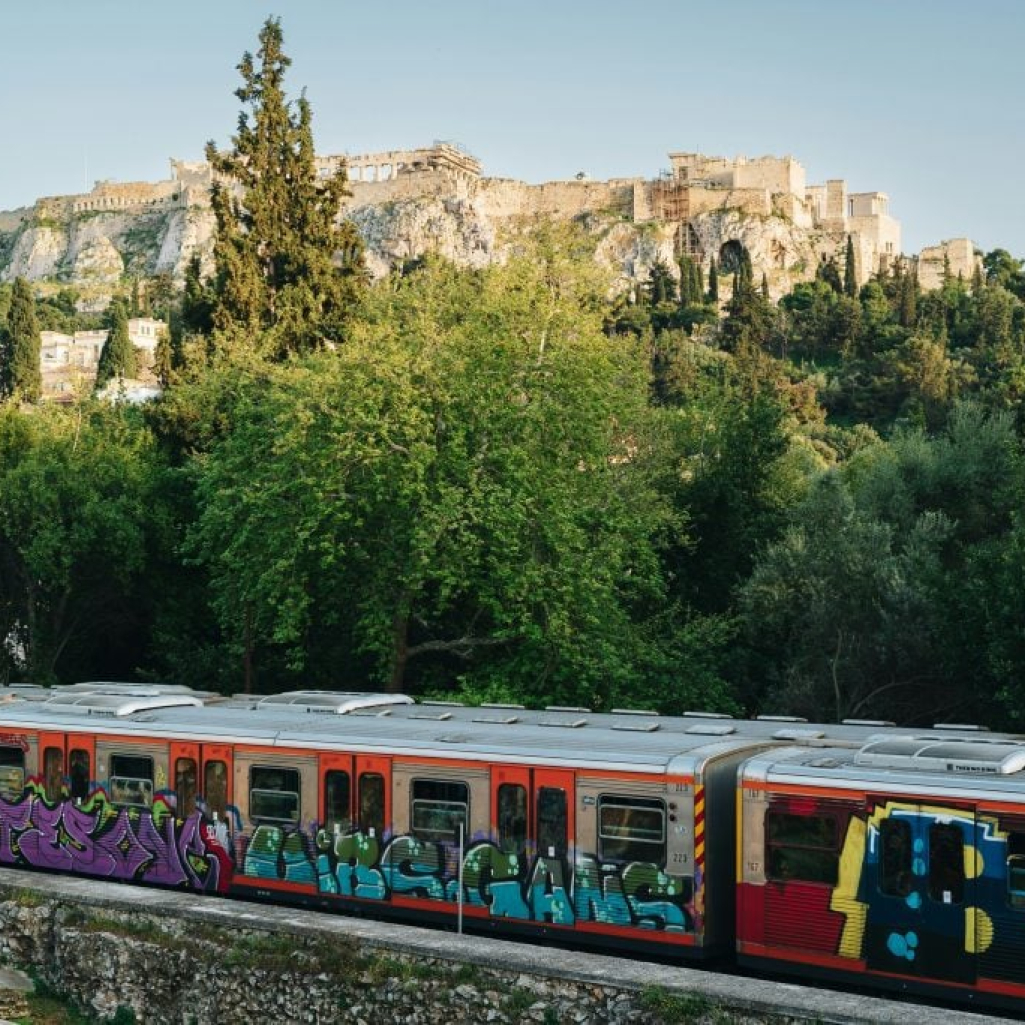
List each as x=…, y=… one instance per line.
x=534, y=829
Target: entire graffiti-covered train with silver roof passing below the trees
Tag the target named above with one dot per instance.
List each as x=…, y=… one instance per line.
x=855, y=852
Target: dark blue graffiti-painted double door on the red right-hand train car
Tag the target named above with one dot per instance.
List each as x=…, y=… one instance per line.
x=922, y=917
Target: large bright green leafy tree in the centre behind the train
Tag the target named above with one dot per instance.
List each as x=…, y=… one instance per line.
x=458, y=493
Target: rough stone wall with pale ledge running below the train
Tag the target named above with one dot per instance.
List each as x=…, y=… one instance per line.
x=171, y=958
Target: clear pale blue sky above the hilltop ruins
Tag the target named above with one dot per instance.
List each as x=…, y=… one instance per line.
x=924, y=100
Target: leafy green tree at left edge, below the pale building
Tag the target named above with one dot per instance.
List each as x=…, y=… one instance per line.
x=77, y=522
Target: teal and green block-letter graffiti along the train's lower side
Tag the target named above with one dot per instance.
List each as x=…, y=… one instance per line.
x=510, y=886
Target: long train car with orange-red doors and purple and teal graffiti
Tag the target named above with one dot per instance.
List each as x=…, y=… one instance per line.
x=546, y=823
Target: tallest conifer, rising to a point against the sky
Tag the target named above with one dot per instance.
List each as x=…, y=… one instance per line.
x=286, y=272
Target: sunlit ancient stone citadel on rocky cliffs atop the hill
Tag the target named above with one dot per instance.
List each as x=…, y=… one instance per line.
x=408, y=202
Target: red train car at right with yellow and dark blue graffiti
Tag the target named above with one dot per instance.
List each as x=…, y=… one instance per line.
x=899, y=864
